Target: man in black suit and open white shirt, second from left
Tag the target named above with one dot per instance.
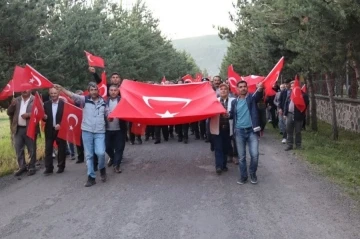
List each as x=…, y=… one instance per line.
x=54, y=109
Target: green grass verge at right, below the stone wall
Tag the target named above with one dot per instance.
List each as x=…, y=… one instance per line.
x=338, y=160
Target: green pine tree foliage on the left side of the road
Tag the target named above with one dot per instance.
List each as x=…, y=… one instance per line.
x=51, y=35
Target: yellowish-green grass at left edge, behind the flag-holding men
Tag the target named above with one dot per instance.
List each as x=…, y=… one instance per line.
x=8, y=162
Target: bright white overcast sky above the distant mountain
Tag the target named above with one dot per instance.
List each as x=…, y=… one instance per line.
x=189, y=18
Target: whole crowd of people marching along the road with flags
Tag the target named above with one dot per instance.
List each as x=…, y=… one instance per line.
x=228, y=134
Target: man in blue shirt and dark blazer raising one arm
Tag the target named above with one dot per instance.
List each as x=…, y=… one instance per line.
x=246, y=125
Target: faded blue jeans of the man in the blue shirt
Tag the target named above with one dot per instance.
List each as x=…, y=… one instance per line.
x=244, y=136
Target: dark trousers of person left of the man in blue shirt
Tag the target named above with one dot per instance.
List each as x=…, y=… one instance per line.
x=221, y=145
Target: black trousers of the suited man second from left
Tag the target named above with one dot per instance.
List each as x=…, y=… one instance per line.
x=61, y=156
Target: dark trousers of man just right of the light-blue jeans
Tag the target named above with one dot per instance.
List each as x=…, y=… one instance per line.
x=115, y=145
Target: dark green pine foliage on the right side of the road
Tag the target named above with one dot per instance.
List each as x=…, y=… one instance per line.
x=314, y=36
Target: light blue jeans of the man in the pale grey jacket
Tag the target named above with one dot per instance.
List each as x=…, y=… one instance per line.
x=94, y=143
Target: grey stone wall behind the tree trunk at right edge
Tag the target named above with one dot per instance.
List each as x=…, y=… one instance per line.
x=347, y=112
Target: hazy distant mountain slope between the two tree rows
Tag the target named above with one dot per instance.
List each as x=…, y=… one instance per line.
x=208, y=51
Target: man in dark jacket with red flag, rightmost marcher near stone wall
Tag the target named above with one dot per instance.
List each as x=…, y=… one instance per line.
x=294, y=120
